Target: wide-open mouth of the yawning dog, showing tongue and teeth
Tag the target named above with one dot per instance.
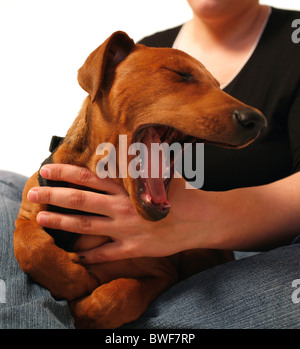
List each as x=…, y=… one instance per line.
x=157, y=167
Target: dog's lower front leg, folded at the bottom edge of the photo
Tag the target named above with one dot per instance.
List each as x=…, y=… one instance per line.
x=118, y=302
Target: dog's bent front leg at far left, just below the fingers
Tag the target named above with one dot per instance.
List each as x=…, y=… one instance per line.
x=50, y=266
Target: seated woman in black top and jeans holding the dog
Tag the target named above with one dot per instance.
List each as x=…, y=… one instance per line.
x=251, y=197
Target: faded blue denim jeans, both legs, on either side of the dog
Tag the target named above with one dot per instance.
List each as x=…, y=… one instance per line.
x=253, y=292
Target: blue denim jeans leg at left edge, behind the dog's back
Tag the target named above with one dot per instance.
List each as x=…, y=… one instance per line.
x=23, y=304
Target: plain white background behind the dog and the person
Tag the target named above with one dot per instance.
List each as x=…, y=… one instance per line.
x=43, y=43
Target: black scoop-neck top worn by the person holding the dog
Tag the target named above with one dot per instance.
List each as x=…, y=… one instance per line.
x=270, y=82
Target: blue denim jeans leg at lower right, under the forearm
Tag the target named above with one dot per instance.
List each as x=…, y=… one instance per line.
x=254, y=292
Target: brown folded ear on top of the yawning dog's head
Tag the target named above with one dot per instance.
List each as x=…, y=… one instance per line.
x=100, y=64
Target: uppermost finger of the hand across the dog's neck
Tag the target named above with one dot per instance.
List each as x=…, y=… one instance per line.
x=79, y=176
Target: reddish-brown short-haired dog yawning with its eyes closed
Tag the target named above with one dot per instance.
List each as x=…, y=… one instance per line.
x=146, y=94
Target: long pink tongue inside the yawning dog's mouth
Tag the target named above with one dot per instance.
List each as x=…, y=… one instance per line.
x=156, y=186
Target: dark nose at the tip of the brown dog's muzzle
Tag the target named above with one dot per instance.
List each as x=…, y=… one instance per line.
x=250, y=119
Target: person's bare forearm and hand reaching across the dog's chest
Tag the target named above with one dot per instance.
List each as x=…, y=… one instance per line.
x=242, y=219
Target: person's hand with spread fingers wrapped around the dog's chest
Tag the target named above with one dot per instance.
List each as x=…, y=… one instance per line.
x=131, y=235
